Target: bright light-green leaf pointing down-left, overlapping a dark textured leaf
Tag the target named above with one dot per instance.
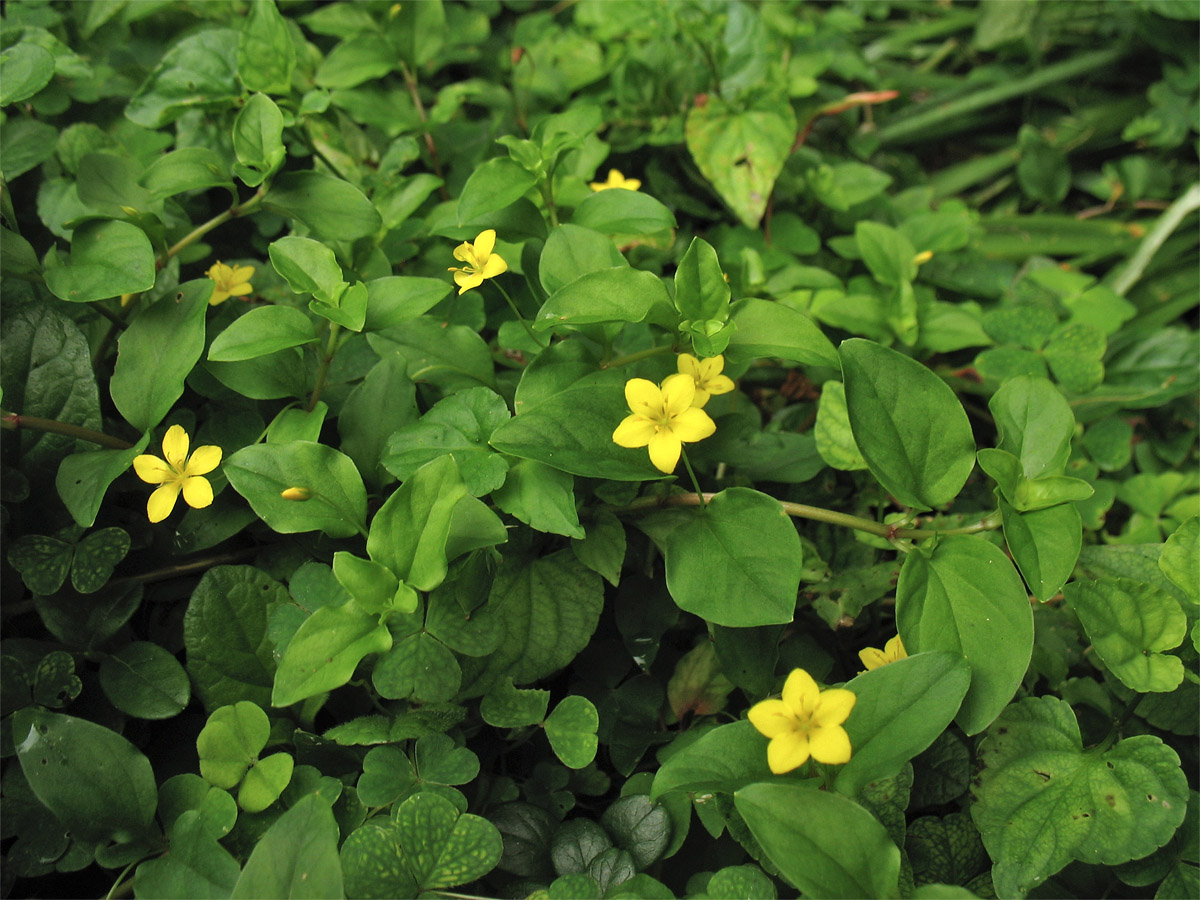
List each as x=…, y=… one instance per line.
x=327, y=650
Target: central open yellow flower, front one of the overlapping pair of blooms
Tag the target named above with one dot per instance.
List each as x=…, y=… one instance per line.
x=663, y=419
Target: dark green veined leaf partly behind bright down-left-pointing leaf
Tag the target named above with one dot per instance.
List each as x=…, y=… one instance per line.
x=225, y=633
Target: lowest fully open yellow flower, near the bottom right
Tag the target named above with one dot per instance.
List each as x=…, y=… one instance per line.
x=806, y=723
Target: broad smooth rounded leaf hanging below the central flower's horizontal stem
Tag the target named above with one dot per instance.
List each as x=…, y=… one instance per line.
x=736, y=562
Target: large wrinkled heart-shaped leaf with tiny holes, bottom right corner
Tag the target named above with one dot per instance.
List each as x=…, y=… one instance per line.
x=1043, y=801
